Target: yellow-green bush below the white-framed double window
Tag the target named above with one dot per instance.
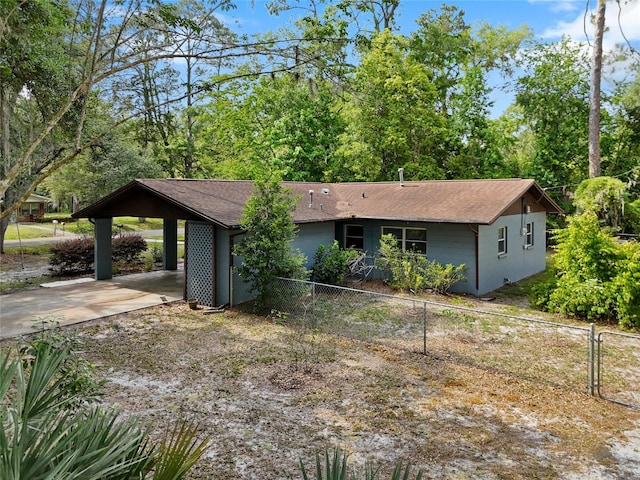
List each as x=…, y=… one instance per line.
x=412, y=271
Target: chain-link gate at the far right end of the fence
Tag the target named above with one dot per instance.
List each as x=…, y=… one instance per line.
x=618, y=376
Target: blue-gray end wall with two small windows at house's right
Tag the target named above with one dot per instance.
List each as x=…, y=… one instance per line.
x=519, y=262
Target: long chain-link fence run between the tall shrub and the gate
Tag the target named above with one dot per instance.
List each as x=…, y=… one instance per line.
x=526, y=348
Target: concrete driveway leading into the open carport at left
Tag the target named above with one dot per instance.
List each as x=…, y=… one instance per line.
x=77, y=301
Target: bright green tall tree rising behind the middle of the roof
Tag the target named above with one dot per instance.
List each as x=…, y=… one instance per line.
x=391, y=116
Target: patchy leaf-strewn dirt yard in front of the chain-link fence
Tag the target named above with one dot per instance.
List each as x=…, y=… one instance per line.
x=269, y=396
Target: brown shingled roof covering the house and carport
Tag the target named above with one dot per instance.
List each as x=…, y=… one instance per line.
x=222, y=201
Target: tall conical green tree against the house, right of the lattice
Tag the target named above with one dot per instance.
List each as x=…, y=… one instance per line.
x=266, y=243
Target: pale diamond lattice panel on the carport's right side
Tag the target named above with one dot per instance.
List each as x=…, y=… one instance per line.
x=200, y=263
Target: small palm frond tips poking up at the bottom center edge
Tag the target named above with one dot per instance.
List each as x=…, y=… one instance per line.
x=335, y=467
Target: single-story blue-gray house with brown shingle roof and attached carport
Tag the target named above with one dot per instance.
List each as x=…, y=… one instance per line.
x=497, y=228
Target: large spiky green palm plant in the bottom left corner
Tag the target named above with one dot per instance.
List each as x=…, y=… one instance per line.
x=50, y=431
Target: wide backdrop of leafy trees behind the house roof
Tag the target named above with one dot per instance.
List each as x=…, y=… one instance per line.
x=105, y=90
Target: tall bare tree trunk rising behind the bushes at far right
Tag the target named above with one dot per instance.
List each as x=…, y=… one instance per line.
x=594, y=103
